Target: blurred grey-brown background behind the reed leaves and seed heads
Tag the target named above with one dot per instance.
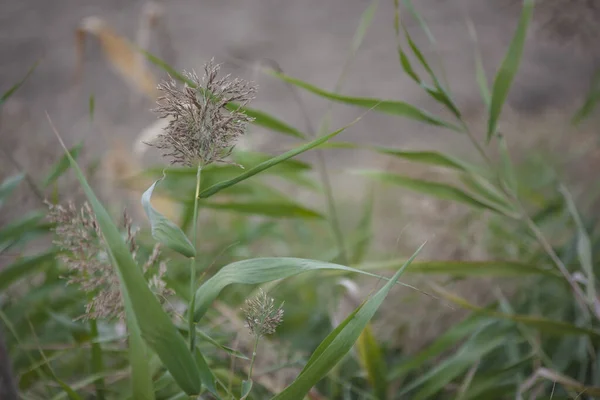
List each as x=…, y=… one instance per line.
x=312, y=40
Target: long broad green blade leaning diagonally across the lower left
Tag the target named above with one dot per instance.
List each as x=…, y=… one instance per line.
x=155, y=325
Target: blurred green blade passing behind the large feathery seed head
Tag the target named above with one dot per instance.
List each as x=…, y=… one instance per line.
x=260, y=118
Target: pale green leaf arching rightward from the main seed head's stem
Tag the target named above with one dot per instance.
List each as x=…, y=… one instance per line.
x=260, y=270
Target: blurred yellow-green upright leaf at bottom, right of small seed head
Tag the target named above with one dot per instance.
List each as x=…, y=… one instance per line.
x=371, y=358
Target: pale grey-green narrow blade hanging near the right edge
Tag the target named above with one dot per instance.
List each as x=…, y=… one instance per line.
x=584, y=246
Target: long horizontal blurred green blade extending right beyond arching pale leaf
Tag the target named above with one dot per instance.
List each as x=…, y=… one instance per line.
x=499, y=268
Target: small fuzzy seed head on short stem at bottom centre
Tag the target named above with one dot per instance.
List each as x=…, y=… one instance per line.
x=262, y=317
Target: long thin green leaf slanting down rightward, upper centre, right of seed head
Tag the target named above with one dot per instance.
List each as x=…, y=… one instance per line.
x=385, y=106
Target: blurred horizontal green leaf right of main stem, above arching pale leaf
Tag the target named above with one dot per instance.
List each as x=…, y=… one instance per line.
x=275, y=209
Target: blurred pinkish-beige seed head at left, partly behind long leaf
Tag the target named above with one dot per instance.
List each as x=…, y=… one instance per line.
x=84, y=252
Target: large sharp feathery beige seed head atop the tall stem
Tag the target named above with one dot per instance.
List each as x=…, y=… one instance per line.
x=201, y=128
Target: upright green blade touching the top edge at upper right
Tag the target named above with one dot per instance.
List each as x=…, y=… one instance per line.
x=508, y=68
